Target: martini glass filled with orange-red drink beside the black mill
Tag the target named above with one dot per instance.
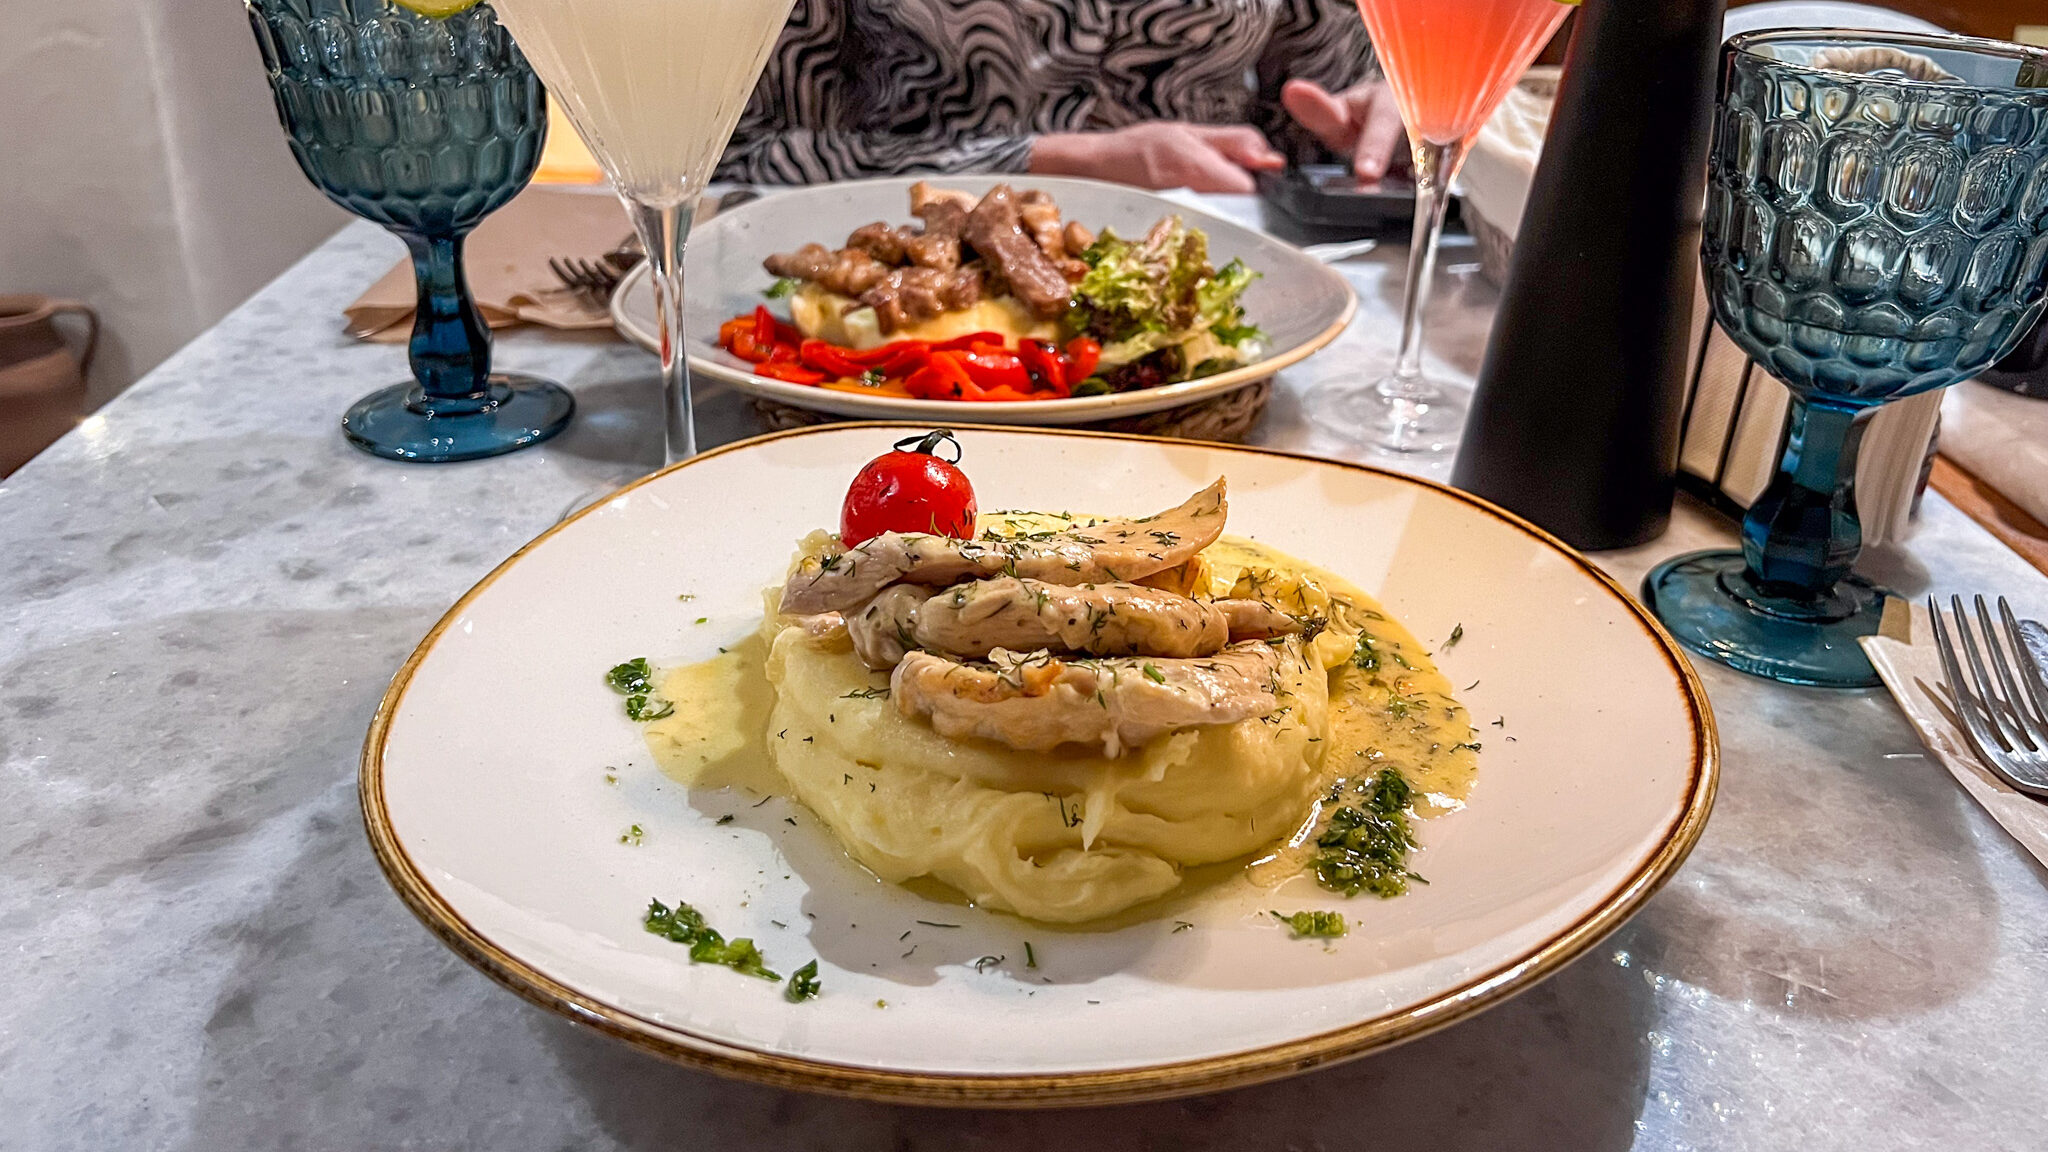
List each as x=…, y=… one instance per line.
x=1449, y=65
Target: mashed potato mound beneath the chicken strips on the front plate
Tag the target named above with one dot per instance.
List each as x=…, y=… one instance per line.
x=1072, y=835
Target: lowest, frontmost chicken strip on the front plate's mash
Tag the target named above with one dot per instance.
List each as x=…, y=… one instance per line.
x=1037, y=702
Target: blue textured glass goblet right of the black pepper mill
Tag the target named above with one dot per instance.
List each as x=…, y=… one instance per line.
x=1877, y=227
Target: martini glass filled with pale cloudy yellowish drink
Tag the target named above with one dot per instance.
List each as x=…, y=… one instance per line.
x=654, y=87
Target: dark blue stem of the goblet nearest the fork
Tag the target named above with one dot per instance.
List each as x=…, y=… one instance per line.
x=1803, y=536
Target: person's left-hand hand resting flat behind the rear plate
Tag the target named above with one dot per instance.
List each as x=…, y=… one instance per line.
x=1160, y=155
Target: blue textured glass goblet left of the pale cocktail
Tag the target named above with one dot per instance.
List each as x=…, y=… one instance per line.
x=423, y=126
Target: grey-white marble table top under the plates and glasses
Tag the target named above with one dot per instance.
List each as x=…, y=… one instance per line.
x=206, y=589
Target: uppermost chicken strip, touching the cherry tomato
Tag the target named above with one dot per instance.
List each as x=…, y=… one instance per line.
x=1095, y=554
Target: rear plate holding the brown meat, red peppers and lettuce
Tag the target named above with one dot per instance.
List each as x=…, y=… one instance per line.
x=1299, y=302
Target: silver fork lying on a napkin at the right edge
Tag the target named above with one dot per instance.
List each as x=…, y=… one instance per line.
x=2004, y=714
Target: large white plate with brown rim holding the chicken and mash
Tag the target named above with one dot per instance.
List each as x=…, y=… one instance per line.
x=486, y=800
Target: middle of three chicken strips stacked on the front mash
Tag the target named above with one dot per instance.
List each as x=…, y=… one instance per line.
x=1023, y=616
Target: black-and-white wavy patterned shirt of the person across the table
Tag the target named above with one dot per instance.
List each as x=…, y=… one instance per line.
x=890, y=87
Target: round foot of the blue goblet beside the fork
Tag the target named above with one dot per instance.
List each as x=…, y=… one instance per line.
x=1713, y=608
